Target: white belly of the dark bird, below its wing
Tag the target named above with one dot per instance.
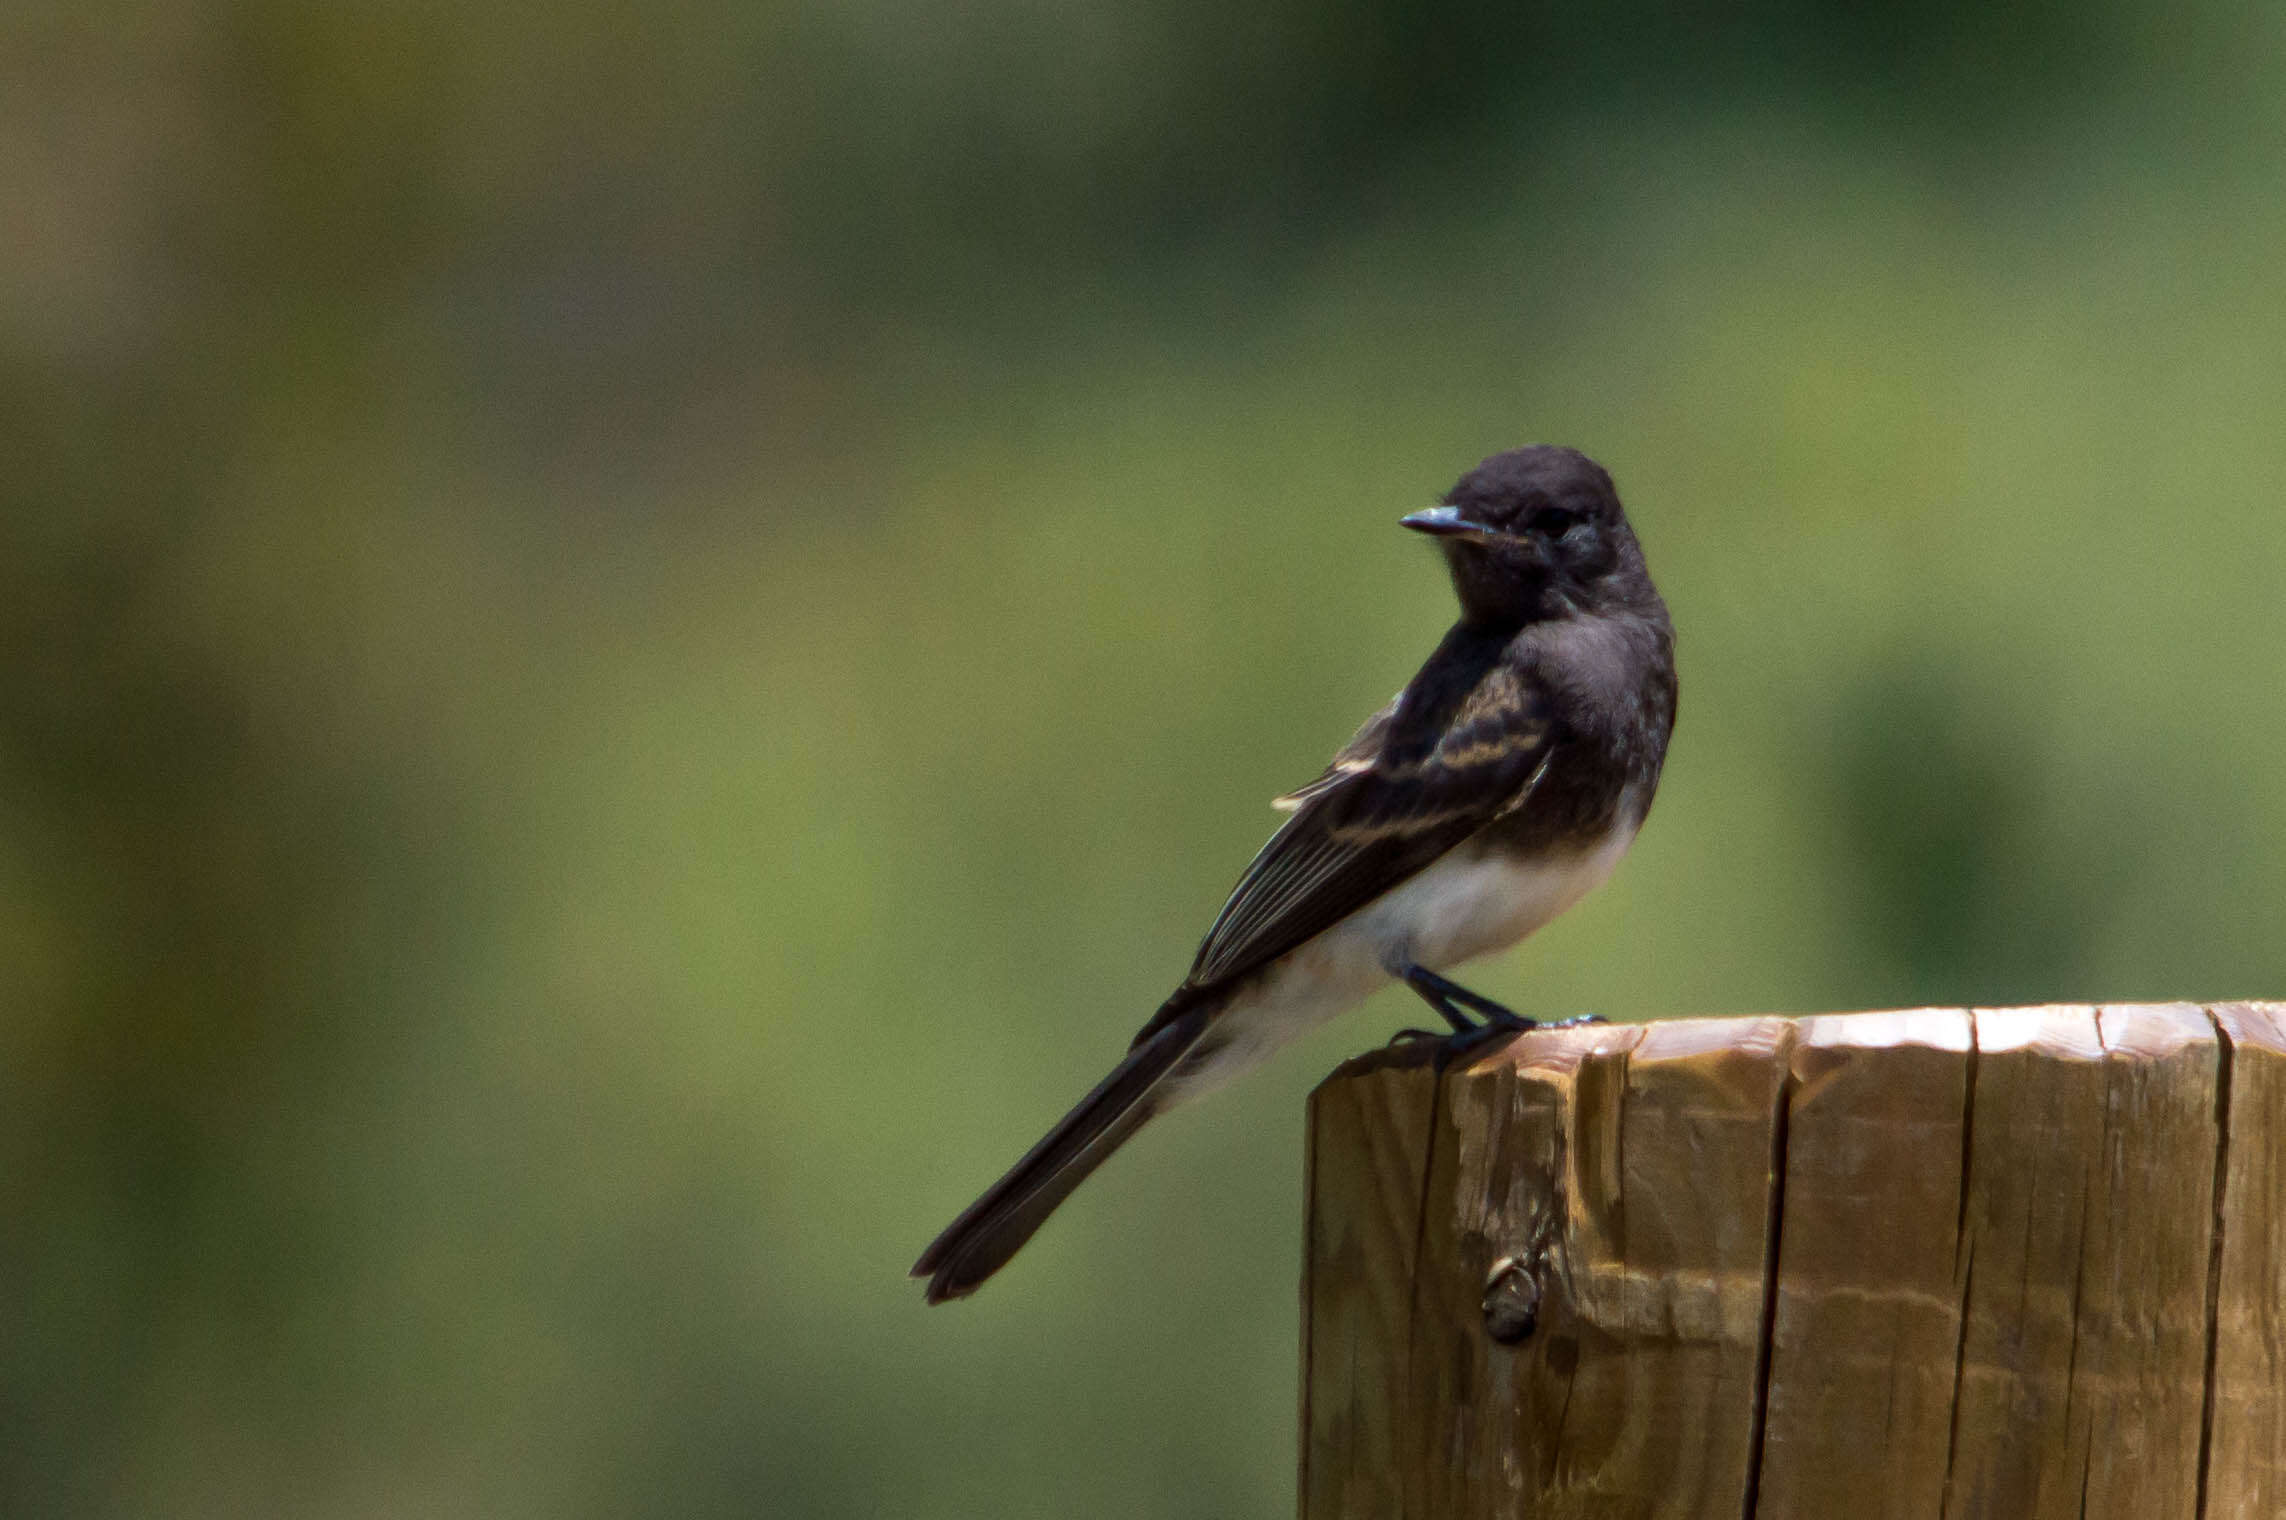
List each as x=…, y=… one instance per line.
x=1460, y=909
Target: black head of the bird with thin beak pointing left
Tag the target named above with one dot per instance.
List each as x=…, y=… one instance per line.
x=1535, y=534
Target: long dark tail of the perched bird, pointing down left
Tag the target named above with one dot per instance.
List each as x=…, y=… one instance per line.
x=996, y=1226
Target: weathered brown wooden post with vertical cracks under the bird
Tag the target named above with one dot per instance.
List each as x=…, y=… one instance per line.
x=1937, y=1265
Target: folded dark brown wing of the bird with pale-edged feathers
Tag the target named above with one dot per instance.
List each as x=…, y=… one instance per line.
x=1462, y=746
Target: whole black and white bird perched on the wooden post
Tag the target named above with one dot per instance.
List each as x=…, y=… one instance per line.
x=1501, y=787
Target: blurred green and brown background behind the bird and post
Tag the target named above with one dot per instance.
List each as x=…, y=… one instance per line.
x=634, y=639
